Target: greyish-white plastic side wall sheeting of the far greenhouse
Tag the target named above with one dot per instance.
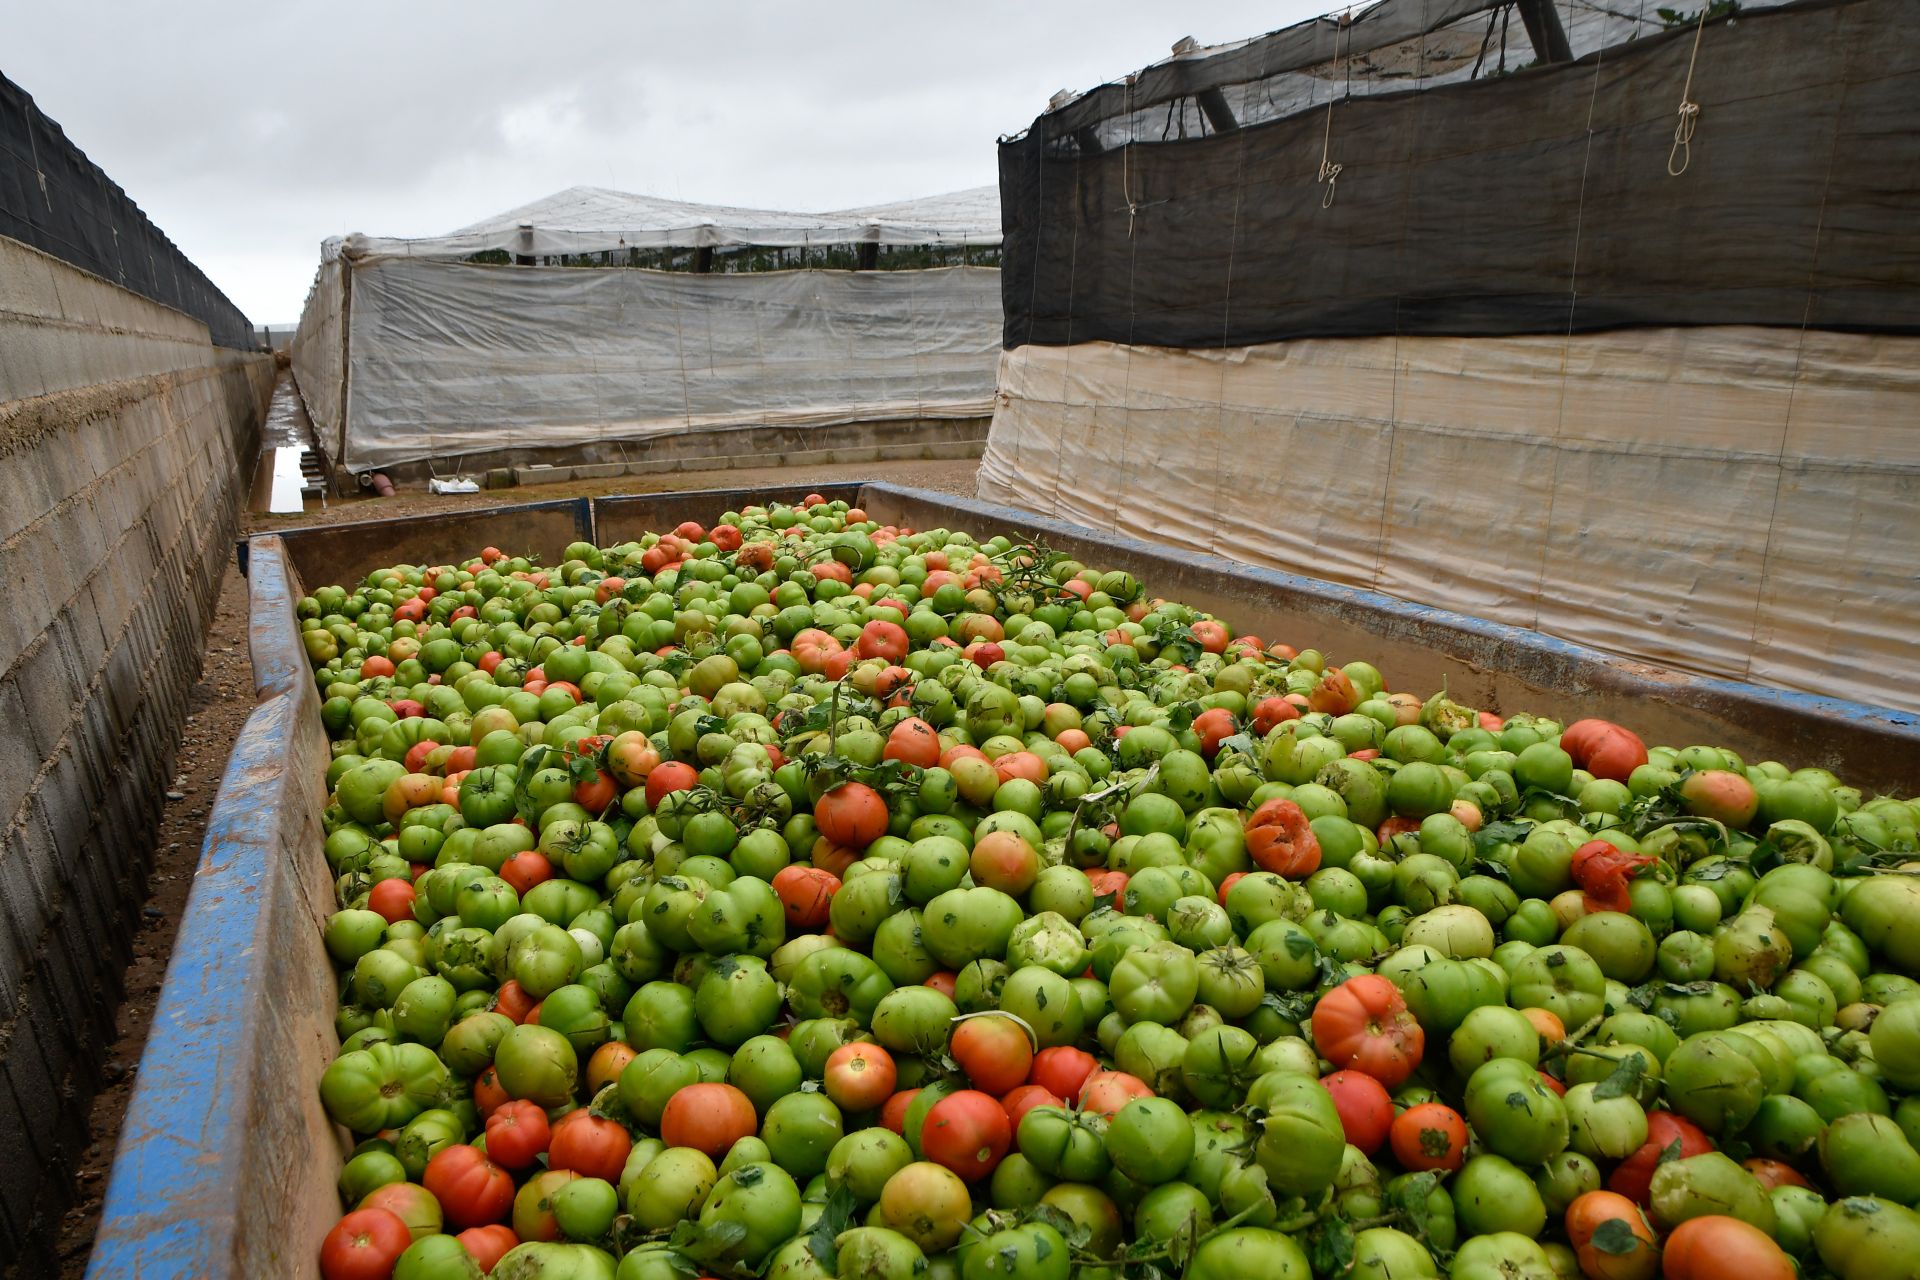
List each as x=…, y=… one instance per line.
x=452, y=360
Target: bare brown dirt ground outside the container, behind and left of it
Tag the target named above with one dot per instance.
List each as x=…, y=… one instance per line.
x=220, y=705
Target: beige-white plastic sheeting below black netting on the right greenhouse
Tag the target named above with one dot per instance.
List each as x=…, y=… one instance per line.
x=1733, y=502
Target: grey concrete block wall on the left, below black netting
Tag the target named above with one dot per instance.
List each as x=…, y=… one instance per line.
x=126, y=444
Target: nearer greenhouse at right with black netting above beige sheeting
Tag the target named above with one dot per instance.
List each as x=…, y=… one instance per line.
x=1598, y=320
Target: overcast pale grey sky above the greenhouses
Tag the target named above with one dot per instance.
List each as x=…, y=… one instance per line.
x=251, y=133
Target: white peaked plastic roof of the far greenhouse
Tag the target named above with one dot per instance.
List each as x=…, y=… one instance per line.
x=592, y=220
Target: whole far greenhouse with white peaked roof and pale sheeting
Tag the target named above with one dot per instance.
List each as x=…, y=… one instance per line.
x=585, y=325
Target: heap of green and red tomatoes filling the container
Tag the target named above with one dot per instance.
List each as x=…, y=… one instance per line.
x=809, y=897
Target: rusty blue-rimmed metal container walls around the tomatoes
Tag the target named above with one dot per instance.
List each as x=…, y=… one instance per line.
x=228, y=1162
